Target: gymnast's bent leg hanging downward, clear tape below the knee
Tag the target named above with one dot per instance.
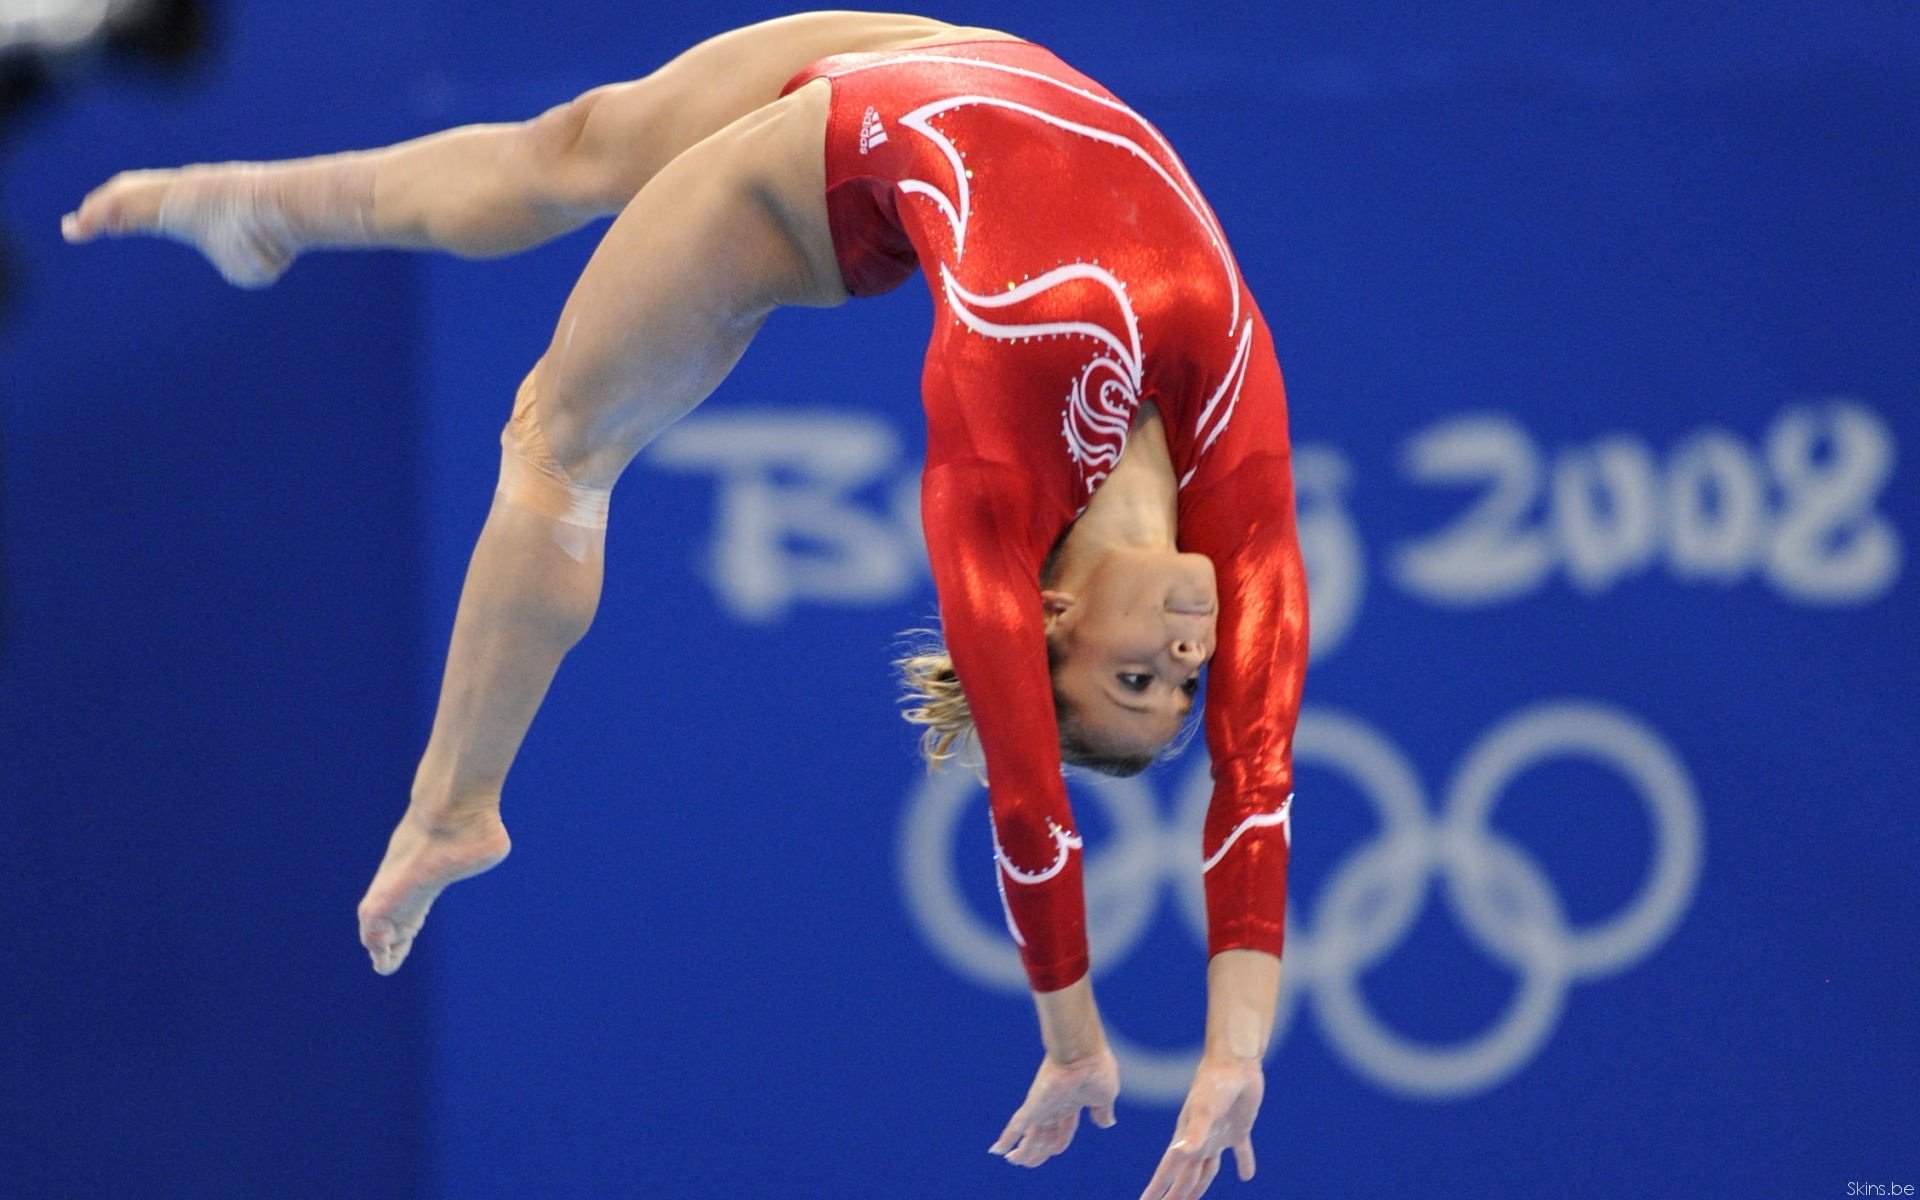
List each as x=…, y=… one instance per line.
x=677, y=291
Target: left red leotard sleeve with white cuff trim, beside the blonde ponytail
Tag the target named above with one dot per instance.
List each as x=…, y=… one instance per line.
x=980, y=540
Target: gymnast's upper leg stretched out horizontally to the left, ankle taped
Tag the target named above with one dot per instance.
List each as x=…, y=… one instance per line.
x=481, y=191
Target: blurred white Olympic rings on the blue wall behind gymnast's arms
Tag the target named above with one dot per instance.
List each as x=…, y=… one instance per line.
x=1500, y=896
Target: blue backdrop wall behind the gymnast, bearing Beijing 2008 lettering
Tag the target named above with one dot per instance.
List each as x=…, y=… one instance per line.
x=1598, y=331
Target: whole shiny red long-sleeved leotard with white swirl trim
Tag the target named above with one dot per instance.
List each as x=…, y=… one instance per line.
x=1076, y=274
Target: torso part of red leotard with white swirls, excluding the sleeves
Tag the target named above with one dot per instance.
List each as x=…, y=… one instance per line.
x=1067, y=249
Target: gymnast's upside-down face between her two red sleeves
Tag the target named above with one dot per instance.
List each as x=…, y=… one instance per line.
x=1130, y=644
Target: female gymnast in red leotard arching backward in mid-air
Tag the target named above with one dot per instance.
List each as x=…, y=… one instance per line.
x=1107, y=498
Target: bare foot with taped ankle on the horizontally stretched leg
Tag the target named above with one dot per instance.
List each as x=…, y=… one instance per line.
x=216, y=210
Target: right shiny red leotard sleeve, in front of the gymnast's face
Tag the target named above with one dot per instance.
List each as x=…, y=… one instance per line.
x=1245, y=523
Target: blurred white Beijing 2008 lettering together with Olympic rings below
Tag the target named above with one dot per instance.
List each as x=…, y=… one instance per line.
x=821, y=508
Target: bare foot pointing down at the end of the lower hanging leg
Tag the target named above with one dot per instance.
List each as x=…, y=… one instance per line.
x=421, y=861
